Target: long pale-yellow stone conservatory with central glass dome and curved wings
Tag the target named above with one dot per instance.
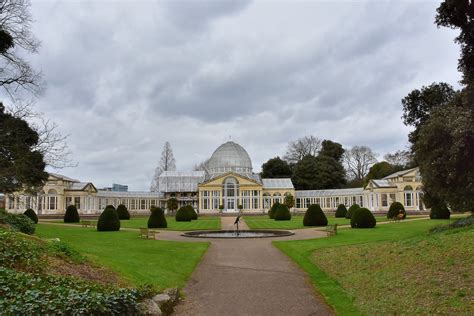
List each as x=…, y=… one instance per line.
x=228, y=184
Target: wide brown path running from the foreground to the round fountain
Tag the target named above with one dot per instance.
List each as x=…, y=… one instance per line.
x=249, y=277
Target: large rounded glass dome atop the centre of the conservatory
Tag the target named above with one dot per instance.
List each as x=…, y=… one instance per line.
x=228, y=157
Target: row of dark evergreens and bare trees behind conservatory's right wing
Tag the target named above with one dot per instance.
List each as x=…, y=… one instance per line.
x=315, y=164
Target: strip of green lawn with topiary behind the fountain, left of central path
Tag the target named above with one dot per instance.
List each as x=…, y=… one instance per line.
x=203, y=223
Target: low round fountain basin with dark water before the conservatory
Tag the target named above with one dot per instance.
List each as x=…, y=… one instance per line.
x=241, y=234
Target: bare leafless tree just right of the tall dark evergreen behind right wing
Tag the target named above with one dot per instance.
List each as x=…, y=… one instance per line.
x=358, y=161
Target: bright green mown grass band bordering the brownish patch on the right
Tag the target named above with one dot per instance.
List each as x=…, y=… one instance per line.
x=303, y=252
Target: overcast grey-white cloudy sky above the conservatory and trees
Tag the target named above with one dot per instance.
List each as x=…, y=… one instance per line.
x=123, y=77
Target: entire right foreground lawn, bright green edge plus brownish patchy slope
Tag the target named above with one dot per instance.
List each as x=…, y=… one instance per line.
x=391, y=269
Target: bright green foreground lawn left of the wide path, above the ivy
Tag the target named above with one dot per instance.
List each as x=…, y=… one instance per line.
x=163, y=264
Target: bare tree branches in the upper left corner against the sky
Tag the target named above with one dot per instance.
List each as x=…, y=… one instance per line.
x=15, y=25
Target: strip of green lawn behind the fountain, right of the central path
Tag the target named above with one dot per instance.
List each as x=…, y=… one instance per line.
x=296, y=222
